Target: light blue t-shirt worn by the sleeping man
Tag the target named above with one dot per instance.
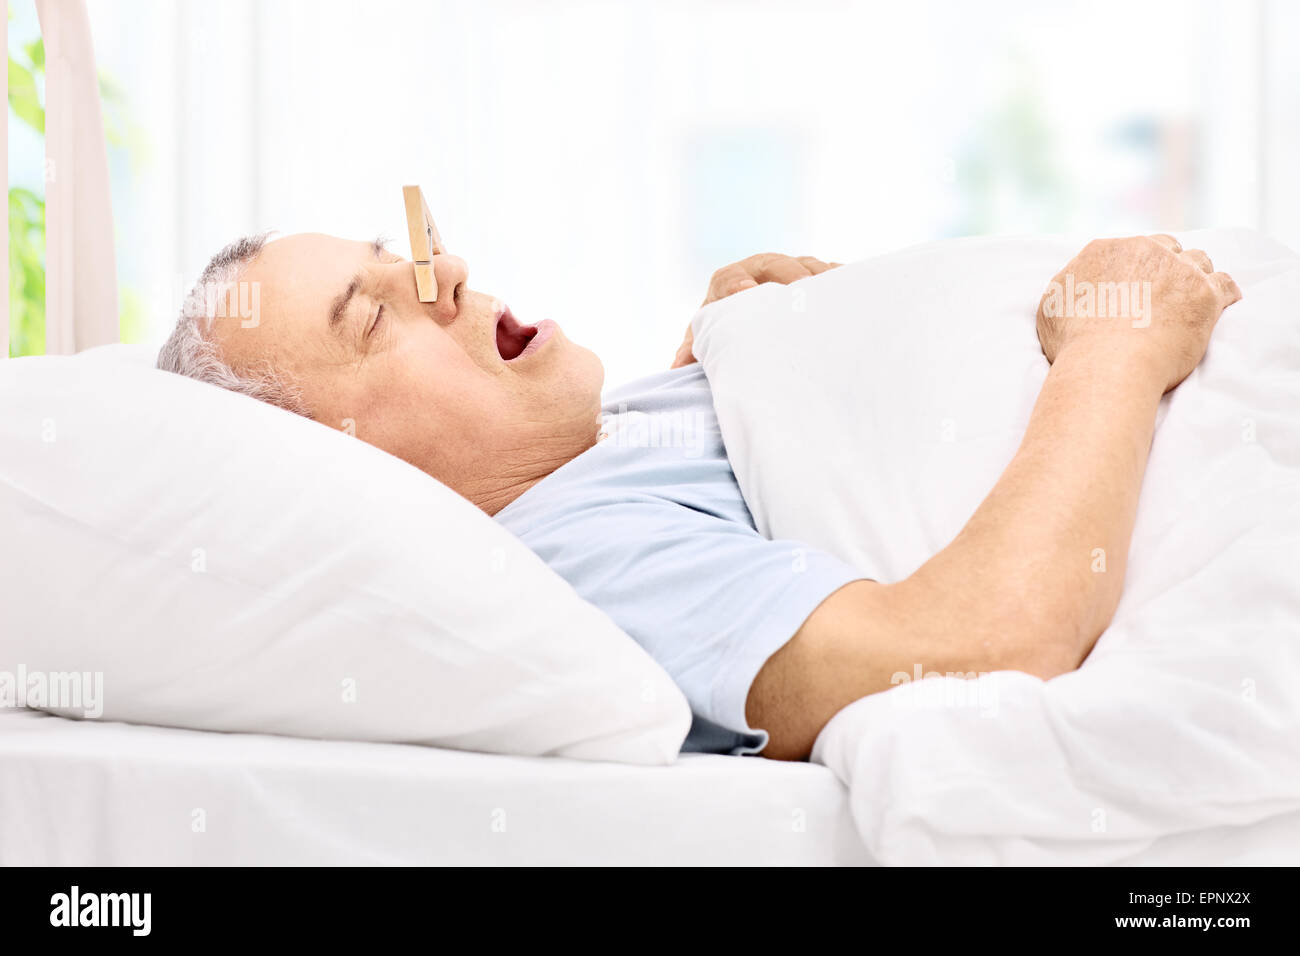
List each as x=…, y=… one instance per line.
x=652, y=529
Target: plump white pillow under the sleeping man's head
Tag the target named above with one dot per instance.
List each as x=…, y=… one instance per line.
x=229, y=566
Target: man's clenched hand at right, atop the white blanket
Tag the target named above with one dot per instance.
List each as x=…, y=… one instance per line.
x=1145, y=299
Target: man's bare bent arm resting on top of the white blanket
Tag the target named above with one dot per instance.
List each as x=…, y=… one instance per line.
x=1016, y=590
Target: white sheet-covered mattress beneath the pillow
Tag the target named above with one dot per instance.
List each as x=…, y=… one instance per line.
x=97, y=794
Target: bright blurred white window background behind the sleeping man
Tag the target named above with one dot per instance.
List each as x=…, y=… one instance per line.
x=596, y=162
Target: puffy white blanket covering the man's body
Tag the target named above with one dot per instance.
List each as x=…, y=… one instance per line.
x=869, y=412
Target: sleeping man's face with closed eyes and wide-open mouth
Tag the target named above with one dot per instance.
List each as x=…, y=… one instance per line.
x=458, y=387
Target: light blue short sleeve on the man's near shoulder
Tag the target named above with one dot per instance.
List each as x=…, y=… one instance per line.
x=708, y=598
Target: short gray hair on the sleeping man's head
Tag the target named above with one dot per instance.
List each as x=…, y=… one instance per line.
x=192, y=352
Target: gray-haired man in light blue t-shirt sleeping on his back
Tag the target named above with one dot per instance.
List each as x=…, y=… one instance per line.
x=765, y=646
